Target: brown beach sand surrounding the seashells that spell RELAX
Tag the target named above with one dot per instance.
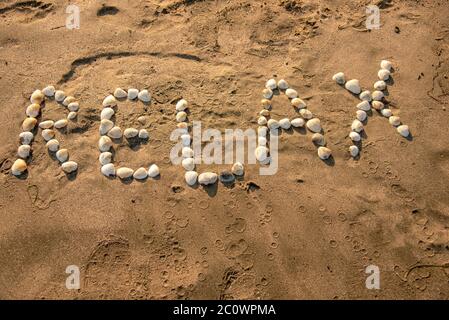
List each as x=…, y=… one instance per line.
x=308, y=232
